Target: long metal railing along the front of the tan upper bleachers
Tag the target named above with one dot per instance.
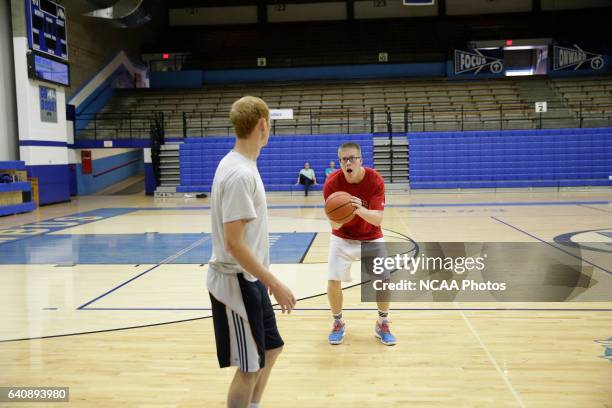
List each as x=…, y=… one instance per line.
x=353, y=119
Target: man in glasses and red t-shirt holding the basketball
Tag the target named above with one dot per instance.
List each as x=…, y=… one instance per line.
x=367, y=189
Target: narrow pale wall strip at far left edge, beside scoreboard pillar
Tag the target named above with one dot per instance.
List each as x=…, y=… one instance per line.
x=8, y=112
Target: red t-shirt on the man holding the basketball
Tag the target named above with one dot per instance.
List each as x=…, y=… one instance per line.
x=371, y=190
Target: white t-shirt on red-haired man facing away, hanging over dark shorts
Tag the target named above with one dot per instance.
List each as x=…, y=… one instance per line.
x=237, y=194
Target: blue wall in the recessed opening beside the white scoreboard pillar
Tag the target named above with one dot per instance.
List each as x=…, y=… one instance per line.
x=108, y=171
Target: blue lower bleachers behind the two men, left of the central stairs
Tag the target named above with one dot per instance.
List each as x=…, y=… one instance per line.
x=279, y=162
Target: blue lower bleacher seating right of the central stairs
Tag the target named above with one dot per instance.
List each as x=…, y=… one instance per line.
x=512, y=158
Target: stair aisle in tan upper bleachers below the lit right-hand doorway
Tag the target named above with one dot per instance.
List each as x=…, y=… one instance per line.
x=558, y=114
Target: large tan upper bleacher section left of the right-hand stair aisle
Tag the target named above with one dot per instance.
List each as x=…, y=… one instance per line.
x=335, y=107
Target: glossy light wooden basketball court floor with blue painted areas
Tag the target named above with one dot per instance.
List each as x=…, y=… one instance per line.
x=106, y=295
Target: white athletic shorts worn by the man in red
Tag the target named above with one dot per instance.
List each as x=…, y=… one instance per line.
x=342, y=253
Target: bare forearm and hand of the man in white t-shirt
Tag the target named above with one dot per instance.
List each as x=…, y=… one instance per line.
x=237, y=247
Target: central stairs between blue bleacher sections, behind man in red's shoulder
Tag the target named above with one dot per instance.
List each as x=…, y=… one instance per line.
x=391, y=160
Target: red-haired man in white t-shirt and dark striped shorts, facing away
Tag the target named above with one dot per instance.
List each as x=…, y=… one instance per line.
x=238, y=276
